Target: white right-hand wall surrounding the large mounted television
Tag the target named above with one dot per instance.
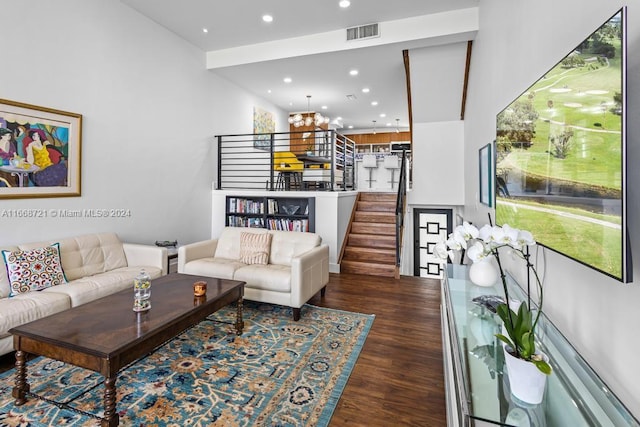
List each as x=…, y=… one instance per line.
x=517, y=42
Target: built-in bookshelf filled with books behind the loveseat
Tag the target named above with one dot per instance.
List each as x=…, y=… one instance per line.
x=273, y=213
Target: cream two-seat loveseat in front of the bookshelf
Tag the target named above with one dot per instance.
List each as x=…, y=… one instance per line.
x=297, y=267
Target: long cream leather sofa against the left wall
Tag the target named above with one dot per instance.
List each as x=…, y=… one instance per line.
x=95, y=265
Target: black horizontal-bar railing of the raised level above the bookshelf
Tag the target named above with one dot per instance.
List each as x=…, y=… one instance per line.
x=286, y=161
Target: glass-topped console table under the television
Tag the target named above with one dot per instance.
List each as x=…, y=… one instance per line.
x=476, y=381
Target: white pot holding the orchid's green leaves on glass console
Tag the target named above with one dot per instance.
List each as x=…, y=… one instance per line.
x=526, y=381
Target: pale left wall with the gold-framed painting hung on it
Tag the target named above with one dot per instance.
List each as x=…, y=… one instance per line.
x=150, y=111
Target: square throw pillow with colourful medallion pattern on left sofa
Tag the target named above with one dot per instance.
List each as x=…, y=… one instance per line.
x=34, y=269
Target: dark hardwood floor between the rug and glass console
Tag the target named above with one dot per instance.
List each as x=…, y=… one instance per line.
x=398, y=379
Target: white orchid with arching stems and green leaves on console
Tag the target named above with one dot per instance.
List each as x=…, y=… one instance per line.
x=484, y=244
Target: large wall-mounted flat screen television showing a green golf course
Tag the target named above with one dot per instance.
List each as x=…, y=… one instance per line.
x=561, y=155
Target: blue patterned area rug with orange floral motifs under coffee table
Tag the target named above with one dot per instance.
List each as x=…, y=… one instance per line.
x=277, y=373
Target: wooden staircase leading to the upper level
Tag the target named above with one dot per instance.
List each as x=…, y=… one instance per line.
x=370, y=246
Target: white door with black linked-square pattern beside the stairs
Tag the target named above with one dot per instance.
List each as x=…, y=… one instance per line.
x=430, y=227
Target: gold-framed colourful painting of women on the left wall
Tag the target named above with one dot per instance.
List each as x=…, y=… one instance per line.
x=40, y=151
